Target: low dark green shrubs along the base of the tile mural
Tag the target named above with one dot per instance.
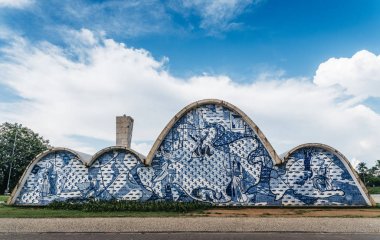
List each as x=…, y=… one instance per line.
x=112, y=206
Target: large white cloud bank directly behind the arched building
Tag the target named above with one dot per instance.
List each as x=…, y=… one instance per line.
x=66, y=96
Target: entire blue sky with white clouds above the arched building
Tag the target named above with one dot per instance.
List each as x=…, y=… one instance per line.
x=303, y=71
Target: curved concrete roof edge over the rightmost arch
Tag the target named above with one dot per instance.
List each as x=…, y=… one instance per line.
x=285, y=156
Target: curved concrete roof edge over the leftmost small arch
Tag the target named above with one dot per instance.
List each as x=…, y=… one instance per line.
x=21, y=182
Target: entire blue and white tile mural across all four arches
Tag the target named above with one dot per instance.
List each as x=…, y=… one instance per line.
x=210, y=154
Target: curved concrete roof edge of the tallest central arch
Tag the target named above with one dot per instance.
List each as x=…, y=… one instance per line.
x=165, y=131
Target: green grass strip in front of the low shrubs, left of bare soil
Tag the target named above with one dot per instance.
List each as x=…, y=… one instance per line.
x=41, y=212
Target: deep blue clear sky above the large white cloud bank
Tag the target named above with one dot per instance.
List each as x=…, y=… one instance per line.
x=289, y=36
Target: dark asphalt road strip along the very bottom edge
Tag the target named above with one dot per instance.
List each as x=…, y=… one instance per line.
x=192, y=236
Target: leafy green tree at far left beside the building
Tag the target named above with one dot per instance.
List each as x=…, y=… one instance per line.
x=18, y=147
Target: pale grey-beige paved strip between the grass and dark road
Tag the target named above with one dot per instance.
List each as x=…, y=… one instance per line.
x=190, y=224
